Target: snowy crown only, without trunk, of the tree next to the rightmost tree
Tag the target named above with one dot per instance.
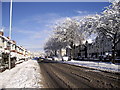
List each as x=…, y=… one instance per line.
x=88, y=25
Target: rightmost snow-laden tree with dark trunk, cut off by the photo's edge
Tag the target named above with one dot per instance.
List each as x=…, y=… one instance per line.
x=109, y=24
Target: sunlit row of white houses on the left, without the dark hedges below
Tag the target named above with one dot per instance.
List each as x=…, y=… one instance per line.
x=8, y=46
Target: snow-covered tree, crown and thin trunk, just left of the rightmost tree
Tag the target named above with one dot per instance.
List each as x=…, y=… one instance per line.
x=88, y=26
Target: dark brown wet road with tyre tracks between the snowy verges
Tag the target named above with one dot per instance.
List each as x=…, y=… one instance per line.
x=60, y=75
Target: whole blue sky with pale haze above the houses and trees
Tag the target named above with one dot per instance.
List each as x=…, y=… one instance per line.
x=32, y=21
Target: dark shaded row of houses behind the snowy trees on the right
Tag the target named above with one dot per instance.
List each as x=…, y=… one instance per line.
x=100, y=46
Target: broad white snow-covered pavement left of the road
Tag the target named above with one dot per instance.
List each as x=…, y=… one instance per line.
x=24, y=75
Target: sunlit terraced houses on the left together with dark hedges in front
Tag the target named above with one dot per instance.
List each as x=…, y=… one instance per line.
x=9, y=47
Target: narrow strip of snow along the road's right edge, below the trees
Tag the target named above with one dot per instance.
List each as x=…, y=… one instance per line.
x=106, y=66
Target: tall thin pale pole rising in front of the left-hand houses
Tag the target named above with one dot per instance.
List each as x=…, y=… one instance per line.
x=10, y=32
